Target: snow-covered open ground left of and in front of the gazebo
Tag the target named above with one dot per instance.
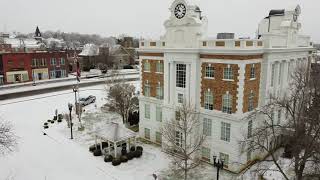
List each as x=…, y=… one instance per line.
x=55, y=156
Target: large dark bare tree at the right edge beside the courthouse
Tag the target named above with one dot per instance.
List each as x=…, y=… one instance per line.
x=299, y=133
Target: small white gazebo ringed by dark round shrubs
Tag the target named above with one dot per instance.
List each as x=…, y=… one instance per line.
x=115, y=135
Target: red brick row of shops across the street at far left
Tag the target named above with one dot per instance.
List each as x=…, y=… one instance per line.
x=20, y=67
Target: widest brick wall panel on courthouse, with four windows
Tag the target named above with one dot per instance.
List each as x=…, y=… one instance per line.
x=218, y=86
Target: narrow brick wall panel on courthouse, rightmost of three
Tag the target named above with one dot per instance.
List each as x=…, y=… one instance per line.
x=251, y=85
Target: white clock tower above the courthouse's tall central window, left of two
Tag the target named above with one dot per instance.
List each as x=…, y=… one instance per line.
x=185, y=25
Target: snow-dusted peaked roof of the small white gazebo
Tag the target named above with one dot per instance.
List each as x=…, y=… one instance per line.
x=114, y=132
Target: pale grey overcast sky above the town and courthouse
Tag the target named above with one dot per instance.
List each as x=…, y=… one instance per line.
x=144, y=18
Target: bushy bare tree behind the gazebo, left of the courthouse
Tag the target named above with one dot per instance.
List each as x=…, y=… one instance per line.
x=122, y=100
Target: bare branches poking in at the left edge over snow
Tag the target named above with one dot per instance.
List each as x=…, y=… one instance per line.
x=7, y=138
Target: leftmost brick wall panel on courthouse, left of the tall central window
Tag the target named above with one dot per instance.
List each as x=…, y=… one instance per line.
x=152, y=77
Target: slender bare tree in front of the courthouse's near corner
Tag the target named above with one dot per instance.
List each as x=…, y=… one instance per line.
x=182, y=138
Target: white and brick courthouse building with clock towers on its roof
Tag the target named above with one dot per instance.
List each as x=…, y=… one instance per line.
x=225, y=79
